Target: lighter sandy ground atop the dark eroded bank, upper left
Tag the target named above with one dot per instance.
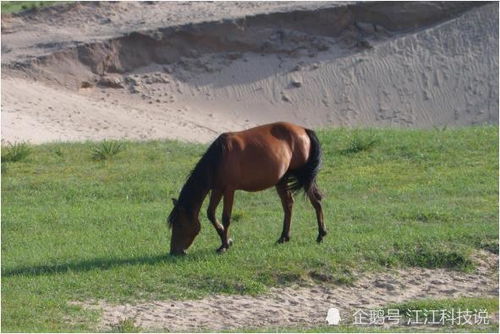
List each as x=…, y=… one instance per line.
x=41, y=32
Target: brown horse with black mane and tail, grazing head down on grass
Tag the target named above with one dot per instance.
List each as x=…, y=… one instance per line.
x=283, y=155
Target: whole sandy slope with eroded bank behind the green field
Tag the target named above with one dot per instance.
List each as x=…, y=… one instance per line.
x=192, y=70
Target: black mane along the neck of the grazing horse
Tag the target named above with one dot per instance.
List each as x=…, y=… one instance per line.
x=200, y=180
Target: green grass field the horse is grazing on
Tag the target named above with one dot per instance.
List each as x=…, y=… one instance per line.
x=77, y=225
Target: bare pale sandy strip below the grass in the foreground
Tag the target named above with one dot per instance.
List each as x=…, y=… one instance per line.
x=304, y=306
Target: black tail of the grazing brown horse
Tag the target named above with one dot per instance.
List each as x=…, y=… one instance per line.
x=305, y=176
